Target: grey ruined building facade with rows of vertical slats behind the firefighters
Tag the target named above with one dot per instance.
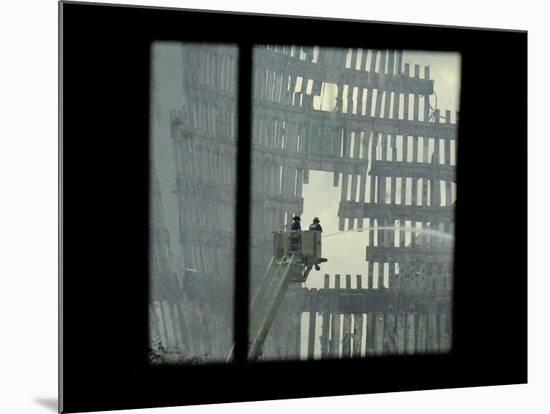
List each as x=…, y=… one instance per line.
x=390, y=152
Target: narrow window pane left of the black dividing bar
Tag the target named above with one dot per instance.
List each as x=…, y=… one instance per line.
x=193, y=168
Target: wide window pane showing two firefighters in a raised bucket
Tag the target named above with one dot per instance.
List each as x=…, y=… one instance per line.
x=365, y=141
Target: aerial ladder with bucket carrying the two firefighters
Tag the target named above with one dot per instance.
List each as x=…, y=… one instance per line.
x=295, y=254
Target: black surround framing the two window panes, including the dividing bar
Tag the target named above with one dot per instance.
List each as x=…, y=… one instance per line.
x=105, y=70
